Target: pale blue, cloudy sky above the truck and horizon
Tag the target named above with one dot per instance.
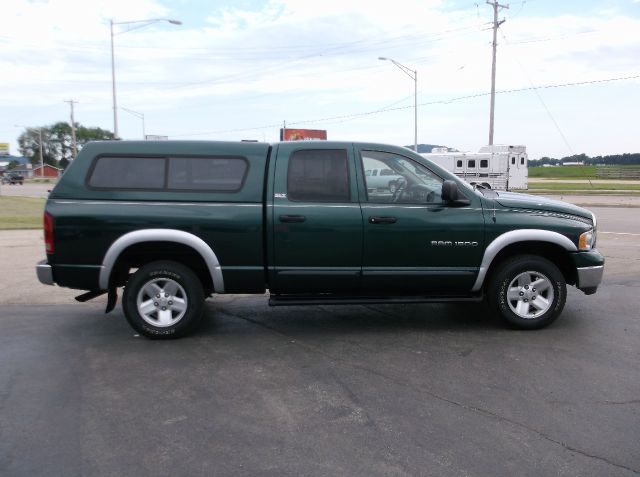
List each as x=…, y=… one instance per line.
x=568, y=72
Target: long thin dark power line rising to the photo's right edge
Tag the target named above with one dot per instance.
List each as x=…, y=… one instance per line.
x=399, y=108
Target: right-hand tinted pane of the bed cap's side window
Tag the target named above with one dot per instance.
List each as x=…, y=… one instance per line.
x=200, y=173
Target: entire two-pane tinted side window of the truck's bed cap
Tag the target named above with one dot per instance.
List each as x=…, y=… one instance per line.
x=219, y=174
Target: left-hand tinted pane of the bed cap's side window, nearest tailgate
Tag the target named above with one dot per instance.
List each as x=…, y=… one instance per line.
x=128, y=173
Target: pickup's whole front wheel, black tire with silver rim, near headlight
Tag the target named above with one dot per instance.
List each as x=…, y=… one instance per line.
x=525, y=306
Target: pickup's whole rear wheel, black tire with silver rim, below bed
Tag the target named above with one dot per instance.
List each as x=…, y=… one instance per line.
x=176, y=307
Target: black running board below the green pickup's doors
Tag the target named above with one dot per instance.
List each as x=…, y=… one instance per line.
x=290, y=300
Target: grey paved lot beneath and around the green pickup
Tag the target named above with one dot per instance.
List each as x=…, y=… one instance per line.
x=350, y=390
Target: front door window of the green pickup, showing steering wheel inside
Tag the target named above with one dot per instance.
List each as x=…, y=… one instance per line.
x=408, y=182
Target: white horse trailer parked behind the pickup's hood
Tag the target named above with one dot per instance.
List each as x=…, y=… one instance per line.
x=500, y=167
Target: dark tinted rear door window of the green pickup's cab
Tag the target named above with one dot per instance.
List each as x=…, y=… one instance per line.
x=318, y=176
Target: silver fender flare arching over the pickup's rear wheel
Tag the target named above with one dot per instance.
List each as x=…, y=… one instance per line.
x=161, y=235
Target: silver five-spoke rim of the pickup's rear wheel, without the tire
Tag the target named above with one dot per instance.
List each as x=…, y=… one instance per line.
x=162, y=302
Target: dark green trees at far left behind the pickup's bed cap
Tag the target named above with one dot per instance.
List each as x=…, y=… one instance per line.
x=57, y=142
